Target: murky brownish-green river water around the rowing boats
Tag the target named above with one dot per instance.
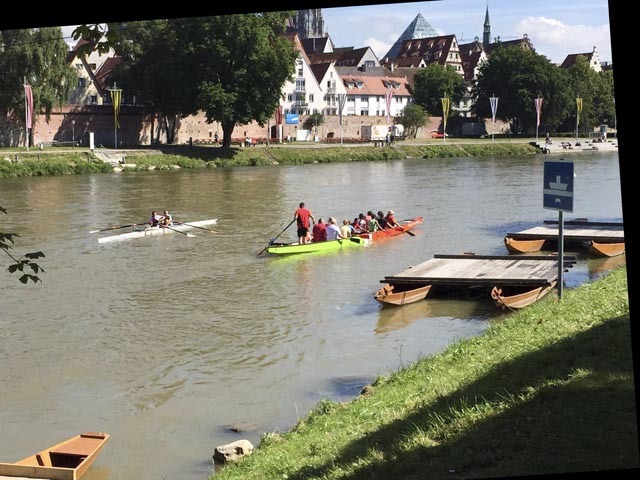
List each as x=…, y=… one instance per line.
x=167, y=342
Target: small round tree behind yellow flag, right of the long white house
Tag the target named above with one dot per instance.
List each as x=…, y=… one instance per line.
x=435, y=82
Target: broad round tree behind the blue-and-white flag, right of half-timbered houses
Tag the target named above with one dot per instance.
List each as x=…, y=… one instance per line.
x=517, y=77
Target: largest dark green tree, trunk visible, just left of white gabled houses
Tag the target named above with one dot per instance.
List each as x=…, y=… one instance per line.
x=240, y=64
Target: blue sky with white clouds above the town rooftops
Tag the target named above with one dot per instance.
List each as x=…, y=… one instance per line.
x=556, y=28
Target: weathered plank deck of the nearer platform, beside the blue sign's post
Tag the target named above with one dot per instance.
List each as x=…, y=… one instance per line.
x=482, y=270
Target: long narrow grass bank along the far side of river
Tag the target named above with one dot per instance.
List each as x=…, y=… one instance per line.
x=52, y=161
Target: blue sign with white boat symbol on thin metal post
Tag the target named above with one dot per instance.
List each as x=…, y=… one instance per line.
x=557, y=193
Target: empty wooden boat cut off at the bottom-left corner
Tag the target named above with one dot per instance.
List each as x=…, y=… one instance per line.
x=68, y=460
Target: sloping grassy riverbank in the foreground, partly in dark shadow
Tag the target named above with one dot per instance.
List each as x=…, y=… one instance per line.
x=545, y=390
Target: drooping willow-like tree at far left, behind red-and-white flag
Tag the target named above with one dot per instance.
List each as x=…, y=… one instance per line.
x=39, y=57
